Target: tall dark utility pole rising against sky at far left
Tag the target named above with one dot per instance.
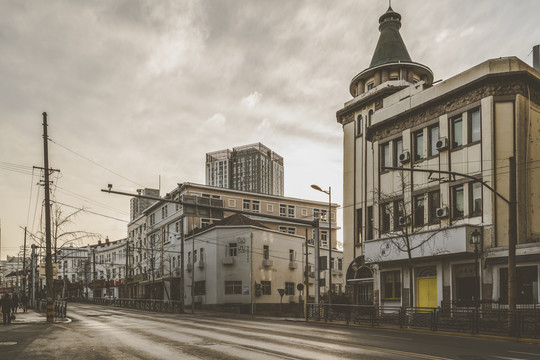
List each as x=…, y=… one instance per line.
x=48, y=258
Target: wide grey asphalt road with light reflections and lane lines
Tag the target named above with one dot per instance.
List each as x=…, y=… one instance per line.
x=100, y=332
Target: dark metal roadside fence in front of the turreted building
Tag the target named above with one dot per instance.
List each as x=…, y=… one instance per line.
x=523, y=323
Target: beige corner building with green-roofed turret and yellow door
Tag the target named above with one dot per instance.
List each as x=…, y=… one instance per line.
x=418, y=238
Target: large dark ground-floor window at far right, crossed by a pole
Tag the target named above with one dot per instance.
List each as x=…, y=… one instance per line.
x=527, y=285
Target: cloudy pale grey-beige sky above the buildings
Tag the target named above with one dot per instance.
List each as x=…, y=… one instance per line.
x=137, y=92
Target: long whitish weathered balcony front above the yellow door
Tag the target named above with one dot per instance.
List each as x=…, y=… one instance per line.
x=440, y=242
